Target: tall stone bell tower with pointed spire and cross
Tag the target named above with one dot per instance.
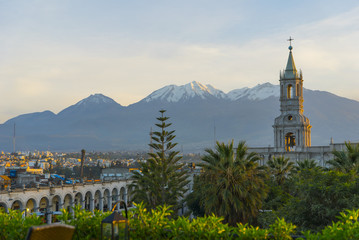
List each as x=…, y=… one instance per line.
x=291, y=128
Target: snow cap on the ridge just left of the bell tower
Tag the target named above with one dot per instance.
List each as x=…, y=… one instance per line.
x=259, y=92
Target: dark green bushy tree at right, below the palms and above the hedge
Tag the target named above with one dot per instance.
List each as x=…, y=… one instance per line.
x=319, y=196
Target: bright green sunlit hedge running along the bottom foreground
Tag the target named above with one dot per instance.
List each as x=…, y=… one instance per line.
x=158, y=224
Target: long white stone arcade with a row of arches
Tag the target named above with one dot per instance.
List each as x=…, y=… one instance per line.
x=47, y=200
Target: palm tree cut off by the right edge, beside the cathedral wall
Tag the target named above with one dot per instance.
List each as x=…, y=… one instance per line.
x=346, y=160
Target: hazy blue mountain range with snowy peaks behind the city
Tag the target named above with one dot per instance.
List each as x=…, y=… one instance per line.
x=199, y=113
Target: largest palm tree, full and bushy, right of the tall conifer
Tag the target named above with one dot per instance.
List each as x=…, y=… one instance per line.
x=233, y=183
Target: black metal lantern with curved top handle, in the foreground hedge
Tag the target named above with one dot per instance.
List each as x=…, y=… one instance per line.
x=115, y=226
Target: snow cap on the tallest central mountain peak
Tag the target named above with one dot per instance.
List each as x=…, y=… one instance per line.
x=174, y=93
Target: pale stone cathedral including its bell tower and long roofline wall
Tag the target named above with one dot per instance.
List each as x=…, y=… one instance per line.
x=292, y=129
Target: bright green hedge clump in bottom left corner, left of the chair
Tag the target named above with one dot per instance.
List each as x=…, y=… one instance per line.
x=14, y=225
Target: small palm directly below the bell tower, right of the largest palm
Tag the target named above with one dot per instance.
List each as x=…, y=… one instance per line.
x=280, y=168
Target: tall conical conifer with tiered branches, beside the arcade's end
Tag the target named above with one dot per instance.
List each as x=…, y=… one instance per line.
x=161, y=180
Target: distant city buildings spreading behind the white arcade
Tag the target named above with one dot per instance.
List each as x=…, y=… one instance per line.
x=18, y=170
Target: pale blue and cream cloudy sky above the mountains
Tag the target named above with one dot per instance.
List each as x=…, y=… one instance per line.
x=55, y=53
